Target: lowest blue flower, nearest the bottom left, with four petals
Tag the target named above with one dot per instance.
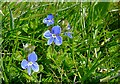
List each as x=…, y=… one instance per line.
x=31, y=63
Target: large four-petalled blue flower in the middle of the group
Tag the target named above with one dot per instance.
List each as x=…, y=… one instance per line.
x=53, y=36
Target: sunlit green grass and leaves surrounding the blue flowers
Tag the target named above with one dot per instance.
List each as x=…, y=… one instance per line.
x=92, y=55
